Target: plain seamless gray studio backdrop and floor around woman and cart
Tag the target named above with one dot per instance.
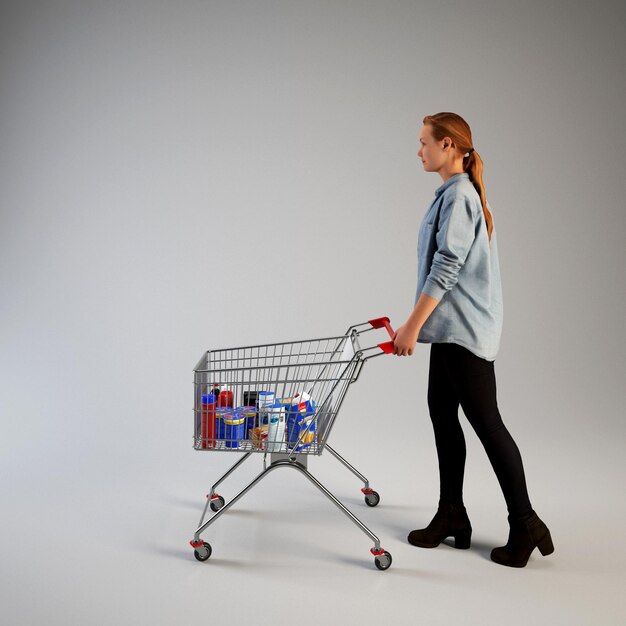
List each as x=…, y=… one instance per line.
x=177, y=176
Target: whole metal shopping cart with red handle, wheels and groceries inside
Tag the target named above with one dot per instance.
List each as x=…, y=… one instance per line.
x=280, y=400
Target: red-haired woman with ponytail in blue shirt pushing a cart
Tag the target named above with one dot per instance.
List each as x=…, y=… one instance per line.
x=459, y=311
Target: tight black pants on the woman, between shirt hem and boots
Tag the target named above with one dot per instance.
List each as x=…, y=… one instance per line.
x=457, y=376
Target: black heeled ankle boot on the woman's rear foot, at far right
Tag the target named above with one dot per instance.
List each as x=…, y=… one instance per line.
x=524, y=536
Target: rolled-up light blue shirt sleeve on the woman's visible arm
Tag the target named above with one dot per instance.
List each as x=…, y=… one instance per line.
x=455, y=235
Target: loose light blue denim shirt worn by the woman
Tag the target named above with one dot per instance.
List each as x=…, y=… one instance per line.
x=458, y=265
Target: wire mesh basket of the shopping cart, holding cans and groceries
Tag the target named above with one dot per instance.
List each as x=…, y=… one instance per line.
x=281, y=397
